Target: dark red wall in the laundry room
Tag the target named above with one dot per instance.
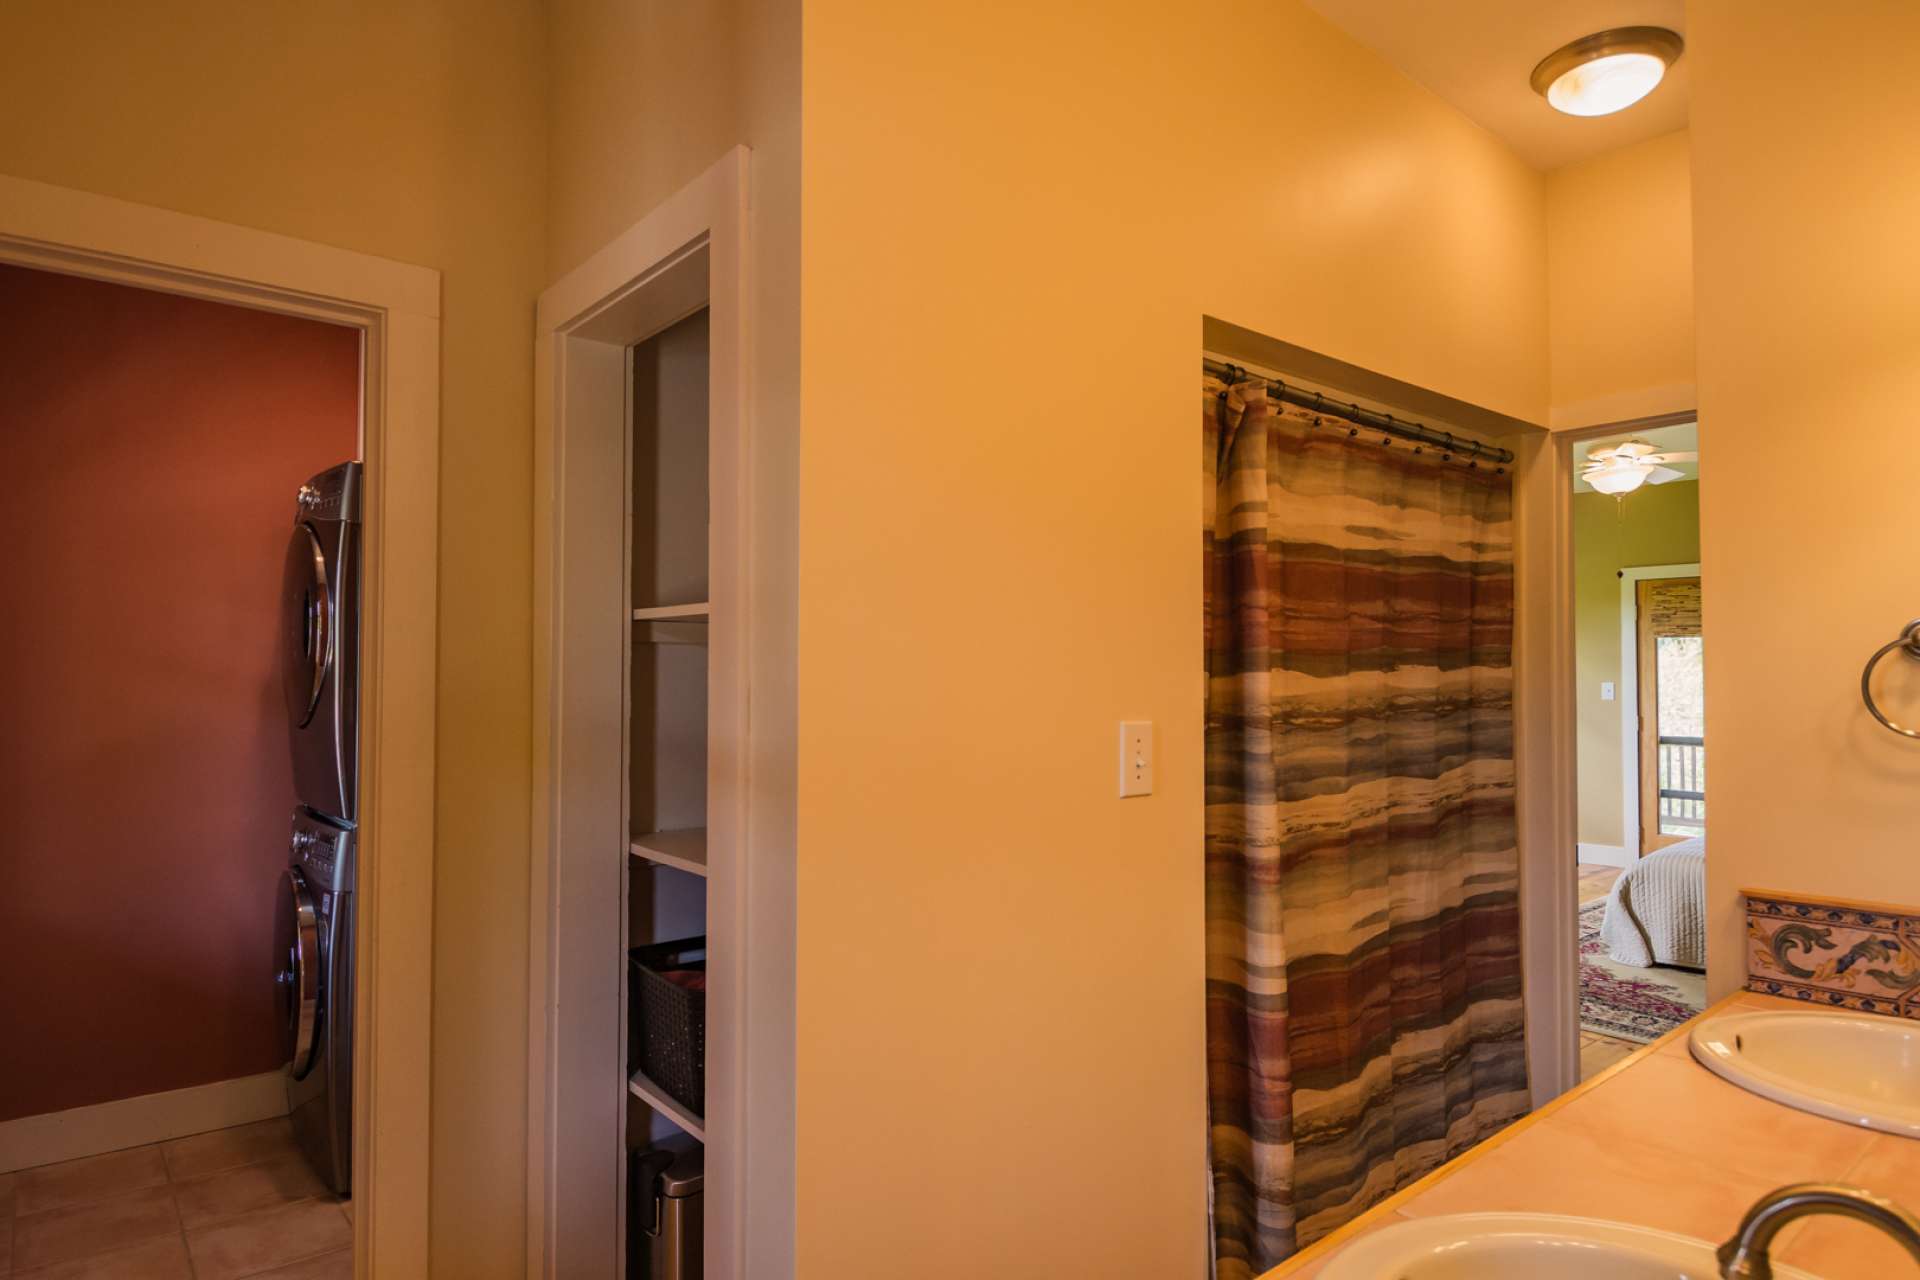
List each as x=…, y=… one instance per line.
x=151, y=448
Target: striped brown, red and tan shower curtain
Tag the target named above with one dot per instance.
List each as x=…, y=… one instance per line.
x=1362, y=874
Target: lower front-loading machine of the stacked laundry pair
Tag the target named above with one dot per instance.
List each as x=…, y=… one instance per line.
x=314, y=939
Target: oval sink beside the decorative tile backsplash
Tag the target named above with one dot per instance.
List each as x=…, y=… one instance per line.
x=1854, y=1068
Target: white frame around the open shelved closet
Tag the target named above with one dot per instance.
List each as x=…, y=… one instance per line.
x=688, y=254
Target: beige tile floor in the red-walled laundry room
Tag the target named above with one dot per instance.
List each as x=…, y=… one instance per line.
x=220, y=1206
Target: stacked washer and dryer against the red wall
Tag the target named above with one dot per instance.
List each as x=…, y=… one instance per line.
x=314, y=920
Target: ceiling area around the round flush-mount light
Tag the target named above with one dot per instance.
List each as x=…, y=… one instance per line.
x=1477, y=57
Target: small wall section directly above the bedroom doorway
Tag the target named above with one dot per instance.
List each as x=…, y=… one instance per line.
x=1621, y=285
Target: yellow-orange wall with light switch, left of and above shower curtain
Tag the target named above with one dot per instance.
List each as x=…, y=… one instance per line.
x=1015, y=220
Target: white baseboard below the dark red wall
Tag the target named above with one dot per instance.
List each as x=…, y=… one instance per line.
x=36, y=1141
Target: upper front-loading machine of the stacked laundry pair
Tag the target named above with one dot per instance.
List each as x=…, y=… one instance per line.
x=324, y=569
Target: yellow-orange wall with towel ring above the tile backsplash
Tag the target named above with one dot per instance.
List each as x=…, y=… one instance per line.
x=1806, y=202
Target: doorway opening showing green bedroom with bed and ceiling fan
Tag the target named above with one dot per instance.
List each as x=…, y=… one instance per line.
x=1641, y=738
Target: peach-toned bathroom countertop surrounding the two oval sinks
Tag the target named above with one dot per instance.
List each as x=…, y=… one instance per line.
x=1664, y=1143
